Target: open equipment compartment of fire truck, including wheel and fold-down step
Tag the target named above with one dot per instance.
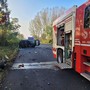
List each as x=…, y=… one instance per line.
x=64, y=40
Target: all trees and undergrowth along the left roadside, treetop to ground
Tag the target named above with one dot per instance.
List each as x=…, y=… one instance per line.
x=9, y=35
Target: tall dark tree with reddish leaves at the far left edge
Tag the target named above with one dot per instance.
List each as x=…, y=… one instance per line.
x=4, y=20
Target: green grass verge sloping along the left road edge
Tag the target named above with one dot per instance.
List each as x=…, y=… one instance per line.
x=11, y=52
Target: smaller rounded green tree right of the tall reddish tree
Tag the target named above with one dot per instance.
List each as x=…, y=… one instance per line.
x=13, y=36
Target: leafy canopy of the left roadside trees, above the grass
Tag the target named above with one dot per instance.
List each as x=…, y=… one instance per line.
x=8, y=28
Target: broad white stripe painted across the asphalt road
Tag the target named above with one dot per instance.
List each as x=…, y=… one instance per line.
x=41, y=65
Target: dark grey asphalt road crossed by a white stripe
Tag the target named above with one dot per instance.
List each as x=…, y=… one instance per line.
x=34, y=69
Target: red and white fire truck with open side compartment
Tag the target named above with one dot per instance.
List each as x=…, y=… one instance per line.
x=71, y=39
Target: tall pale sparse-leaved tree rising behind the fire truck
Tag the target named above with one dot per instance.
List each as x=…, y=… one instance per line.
x=41, y=27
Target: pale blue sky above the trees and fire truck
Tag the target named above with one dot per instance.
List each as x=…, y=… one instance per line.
x=25, y=10
